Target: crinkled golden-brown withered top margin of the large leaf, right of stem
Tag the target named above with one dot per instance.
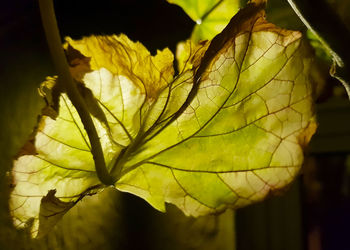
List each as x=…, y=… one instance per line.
x=121, y=56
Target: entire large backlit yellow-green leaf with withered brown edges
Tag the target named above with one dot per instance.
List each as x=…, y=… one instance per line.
x=226, y=132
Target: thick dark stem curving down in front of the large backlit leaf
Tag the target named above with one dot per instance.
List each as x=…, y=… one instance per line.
x=54, y=41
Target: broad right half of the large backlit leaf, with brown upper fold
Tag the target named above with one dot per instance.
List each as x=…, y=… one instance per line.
x=241, y=136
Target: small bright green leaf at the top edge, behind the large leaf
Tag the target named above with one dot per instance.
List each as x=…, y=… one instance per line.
x=211, y=16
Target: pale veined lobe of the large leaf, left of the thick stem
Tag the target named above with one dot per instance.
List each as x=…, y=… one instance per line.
x=62, y=161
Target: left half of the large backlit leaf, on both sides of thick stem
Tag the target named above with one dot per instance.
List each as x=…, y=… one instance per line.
x=61, y=158
